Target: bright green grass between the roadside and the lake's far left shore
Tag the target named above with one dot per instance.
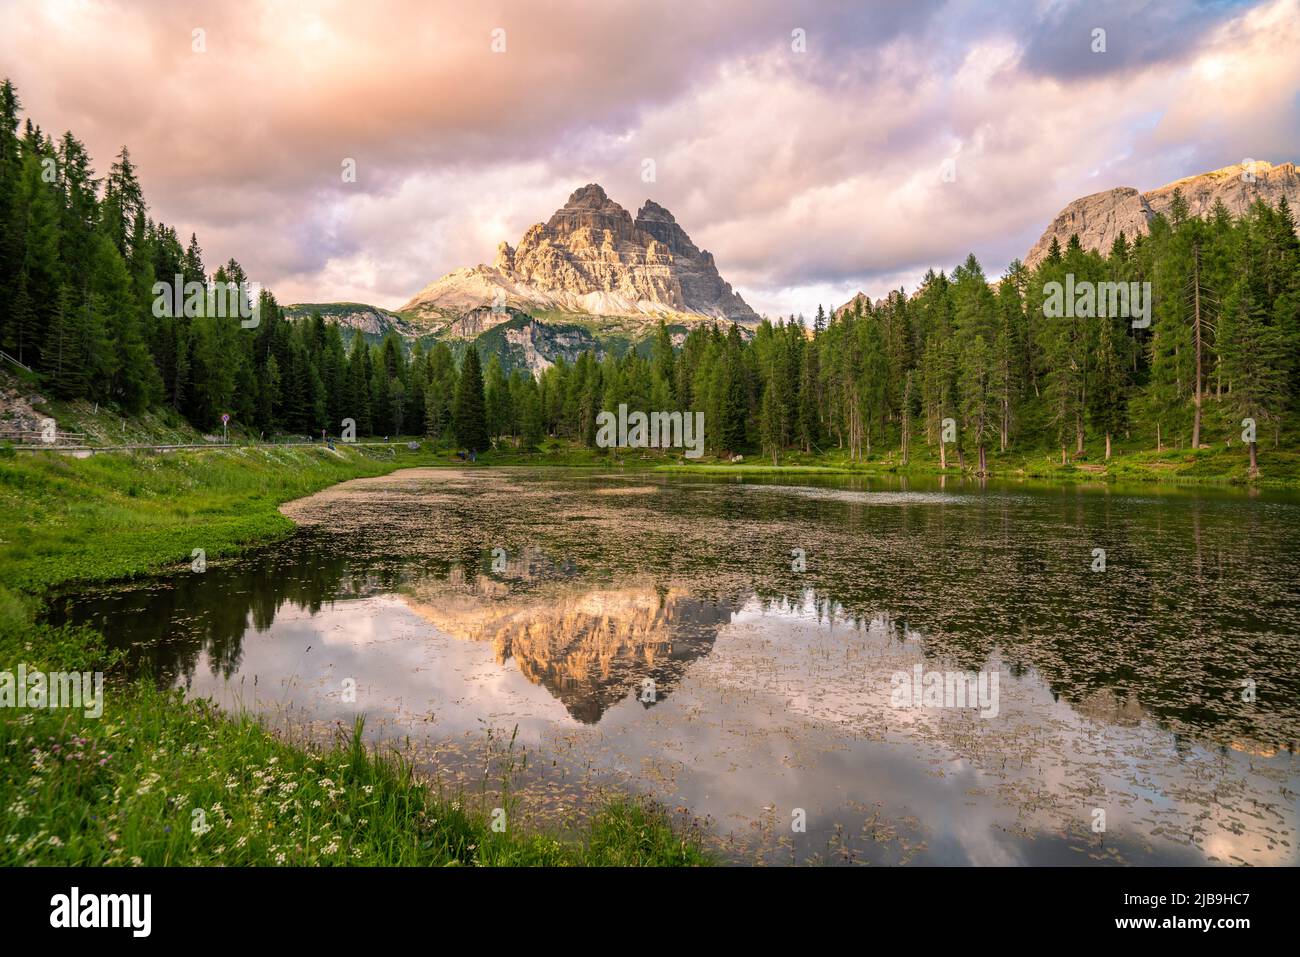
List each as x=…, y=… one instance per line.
x=112, y=516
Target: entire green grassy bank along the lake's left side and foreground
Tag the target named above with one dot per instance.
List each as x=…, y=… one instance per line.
x=162, y=781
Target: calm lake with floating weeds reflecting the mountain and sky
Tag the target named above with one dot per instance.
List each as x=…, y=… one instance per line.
x=578, y=634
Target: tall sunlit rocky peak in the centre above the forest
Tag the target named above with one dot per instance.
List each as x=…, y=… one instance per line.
x=593, y=258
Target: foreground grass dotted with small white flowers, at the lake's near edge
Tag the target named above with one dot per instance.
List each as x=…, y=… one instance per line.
x=163, y=782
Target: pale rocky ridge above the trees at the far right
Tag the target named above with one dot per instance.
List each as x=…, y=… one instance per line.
x=1103, y=216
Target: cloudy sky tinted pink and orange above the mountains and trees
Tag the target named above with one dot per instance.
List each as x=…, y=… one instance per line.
x=811, y=170
